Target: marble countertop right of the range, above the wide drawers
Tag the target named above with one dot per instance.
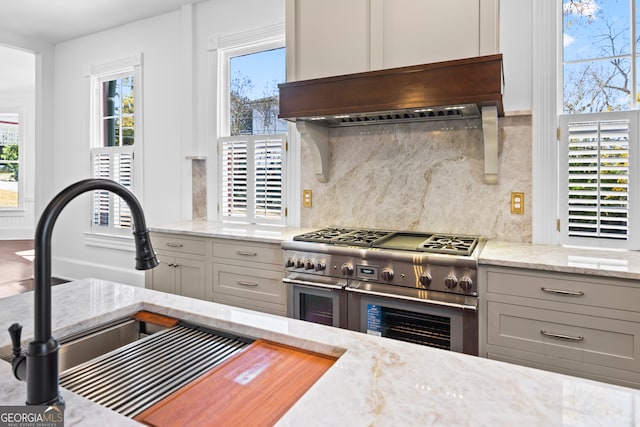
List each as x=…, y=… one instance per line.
x=609, y=263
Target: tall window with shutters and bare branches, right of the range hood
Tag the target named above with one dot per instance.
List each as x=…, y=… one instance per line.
x=598, y=156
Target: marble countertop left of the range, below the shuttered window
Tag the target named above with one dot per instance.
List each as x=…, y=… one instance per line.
x=248, y=232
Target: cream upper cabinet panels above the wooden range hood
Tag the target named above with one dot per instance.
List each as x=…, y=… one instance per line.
x=334, y=37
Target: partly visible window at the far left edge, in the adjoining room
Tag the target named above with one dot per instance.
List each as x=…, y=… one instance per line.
x=10, y=156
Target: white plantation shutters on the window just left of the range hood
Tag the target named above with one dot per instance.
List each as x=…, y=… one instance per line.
x=252, y=168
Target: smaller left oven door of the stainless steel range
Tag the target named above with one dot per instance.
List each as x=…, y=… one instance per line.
x=316, y=299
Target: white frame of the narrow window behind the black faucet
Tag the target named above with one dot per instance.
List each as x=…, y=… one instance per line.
x=129, y=66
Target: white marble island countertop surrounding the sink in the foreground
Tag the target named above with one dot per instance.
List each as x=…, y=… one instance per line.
x=375, y=381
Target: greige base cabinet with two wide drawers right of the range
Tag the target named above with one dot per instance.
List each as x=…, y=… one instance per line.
x=580, y=325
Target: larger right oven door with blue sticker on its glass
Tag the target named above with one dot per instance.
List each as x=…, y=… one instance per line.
x=434, y=319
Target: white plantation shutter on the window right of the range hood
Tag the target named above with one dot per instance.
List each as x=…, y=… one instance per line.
x=598, y=193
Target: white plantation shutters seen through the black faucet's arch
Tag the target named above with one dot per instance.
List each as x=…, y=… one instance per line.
x=114, y=163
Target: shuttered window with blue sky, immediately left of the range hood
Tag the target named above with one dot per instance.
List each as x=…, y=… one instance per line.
x=252, y=147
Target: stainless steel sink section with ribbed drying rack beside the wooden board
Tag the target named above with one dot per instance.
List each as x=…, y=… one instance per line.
x=131, y=365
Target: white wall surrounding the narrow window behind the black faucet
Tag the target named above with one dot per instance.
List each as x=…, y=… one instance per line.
x=172, y=81
